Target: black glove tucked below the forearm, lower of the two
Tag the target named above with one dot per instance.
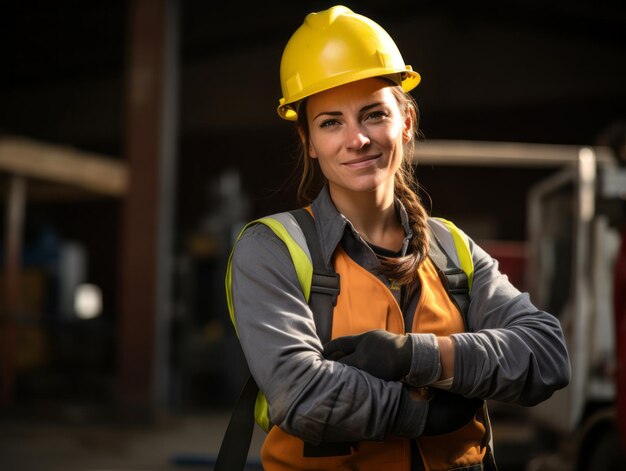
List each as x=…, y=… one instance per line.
x=448, y=412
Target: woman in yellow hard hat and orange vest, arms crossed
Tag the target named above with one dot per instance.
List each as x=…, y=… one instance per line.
x=401, y=384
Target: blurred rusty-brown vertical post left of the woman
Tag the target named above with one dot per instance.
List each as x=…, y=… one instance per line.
x=149, y=150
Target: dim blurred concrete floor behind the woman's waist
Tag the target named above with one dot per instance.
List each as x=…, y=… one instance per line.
x=174, y=443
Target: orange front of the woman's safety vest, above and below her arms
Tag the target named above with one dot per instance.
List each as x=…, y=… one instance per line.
x=364, y=304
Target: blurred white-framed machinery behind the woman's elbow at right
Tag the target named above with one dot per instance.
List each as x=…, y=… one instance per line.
x=575, y=233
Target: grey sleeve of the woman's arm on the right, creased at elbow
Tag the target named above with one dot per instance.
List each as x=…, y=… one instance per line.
x=514, y=352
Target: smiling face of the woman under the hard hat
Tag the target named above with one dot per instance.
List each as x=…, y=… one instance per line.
x=357, y=132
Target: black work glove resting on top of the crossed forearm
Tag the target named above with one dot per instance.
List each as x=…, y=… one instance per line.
x=382, y=354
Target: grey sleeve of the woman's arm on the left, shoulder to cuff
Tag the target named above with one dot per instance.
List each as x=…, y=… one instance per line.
x=309, y=397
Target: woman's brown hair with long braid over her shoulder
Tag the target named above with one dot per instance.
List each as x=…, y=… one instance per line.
x=403, y=270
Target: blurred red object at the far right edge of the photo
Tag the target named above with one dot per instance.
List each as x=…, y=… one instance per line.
x=619, y=300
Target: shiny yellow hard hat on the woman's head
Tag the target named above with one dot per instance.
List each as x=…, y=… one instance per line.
x=334, y=47
